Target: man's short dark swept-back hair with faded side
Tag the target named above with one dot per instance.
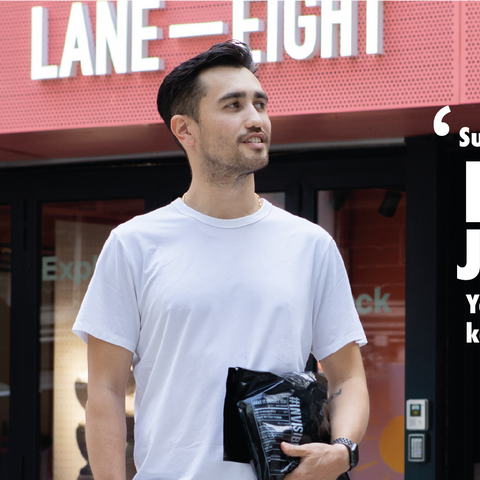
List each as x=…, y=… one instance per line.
x=181, y=90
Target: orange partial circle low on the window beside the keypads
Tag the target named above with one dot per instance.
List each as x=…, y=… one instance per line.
x=392, y=443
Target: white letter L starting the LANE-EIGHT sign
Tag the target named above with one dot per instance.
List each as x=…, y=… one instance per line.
x=40, y=69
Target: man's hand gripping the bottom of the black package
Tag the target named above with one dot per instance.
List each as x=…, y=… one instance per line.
x=317, y=460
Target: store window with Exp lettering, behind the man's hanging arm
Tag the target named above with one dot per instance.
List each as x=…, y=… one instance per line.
x=73, y=234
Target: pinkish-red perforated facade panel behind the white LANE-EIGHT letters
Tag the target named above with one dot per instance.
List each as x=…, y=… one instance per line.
x=430, y=58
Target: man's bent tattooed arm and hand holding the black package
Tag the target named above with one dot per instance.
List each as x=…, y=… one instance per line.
x=349, y=411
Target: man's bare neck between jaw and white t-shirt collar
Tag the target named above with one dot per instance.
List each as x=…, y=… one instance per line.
x=224, y=201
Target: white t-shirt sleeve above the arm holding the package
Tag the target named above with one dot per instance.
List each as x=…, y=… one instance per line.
x=336, y=321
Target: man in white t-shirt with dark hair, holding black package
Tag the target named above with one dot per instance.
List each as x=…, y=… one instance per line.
x=219, y=278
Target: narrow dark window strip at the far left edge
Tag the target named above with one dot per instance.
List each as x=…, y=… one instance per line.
x=5, y=288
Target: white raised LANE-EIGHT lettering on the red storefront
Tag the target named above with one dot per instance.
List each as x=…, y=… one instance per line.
x=122, y=34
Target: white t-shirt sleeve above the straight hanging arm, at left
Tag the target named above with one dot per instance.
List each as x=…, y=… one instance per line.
x=109, y=310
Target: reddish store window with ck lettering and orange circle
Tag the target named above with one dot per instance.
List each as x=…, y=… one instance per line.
x=369, y=228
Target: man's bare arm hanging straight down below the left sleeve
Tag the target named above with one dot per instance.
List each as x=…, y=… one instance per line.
x=108, y=371
